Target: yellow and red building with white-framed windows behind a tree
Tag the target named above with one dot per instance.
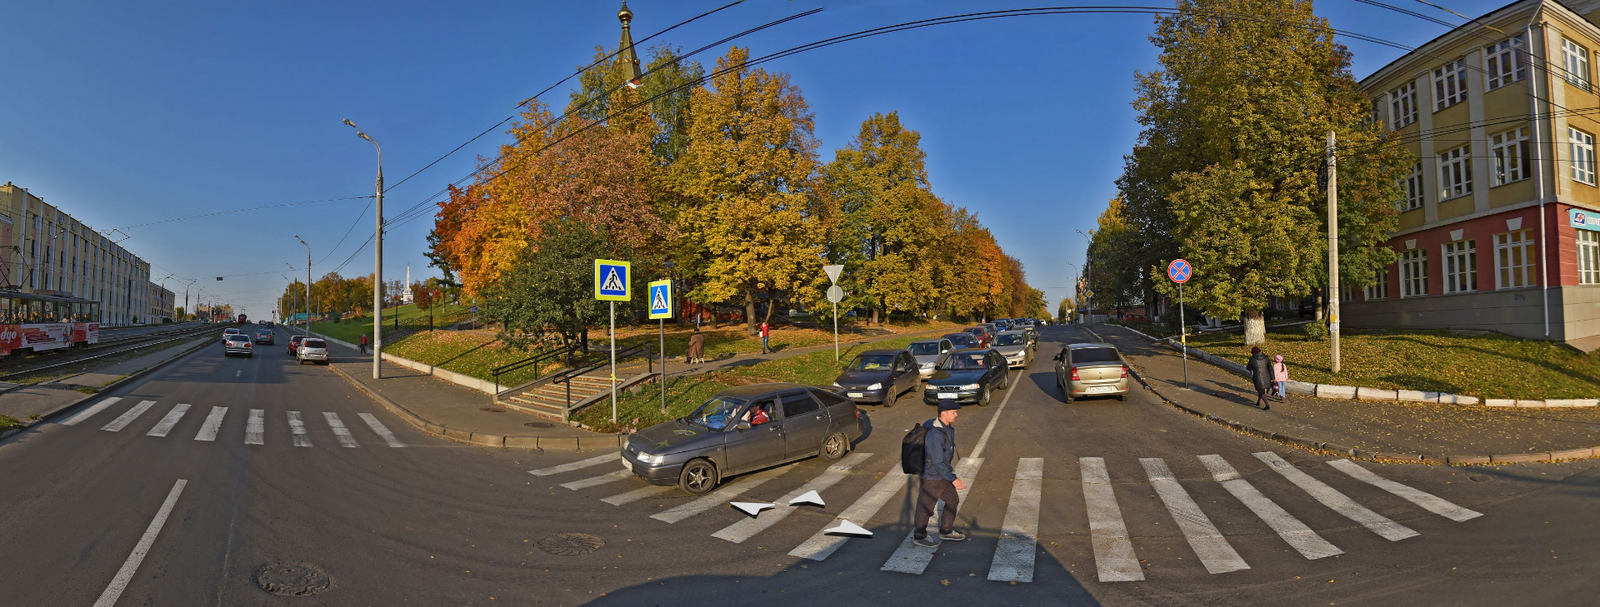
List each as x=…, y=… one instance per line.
x=1500, y=222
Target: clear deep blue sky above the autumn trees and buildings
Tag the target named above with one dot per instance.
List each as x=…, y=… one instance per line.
x=126, y=115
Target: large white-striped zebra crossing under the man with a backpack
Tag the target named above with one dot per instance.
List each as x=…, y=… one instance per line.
x=1017, y=544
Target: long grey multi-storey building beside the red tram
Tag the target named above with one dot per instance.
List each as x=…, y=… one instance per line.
x=55, y=254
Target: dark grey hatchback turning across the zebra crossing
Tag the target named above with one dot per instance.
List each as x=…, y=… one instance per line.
x=743, y=430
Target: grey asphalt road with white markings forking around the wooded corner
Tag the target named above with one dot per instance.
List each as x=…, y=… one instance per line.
x=438, y=523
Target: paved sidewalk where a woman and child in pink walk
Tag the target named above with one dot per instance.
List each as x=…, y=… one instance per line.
x=1375, y=430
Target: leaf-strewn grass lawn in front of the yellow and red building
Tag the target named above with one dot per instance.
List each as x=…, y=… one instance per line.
x=1486, y=366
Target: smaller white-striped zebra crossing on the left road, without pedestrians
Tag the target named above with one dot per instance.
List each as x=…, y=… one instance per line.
x=255, y=432
